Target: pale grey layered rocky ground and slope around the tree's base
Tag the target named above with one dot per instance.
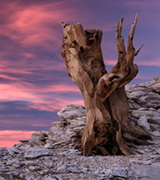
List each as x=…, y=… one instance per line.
x=52, y=156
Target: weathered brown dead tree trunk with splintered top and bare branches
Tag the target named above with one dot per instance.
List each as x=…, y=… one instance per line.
x=108, y=129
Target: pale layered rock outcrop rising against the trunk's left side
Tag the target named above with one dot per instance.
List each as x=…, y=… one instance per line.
x=73, y=118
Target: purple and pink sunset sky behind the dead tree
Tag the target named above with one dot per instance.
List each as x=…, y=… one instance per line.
x=34, y=82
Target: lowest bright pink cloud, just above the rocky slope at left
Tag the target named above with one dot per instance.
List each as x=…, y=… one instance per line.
x=10, y=137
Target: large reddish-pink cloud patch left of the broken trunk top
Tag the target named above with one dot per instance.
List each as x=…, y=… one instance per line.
x=37, y=24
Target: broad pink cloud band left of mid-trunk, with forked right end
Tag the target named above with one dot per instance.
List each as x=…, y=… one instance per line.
x=38, y=97
